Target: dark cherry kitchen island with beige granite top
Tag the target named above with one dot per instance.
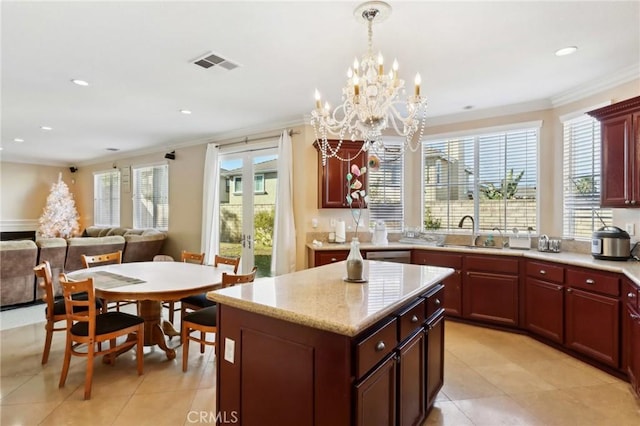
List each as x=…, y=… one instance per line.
x=307, y=348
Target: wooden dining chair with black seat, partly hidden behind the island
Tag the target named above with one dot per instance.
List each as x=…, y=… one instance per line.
x=204, y=320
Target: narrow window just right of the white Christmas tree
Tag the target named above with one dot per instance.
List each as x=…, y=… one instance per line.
x=106, y=198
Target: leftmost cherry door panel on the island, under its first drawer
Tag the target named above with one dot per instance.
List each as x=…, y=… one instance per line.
x=375, y=396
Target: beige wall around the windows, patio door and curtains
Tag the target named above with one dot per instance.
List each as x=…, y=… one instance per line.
x=25, y=187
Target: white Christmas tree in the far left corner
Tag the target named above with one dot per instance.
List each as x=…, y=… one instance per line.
x=60, y=217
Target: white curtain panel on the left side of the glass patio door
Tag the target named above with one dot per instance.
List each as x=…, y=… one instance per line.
x=211, y=204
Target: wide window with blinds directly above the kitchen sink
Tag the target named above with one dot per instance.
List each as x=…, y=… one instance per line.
x=492, y=177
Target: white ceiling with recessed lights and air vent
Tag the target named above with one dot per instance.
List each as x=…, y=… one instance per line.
x=137, y=58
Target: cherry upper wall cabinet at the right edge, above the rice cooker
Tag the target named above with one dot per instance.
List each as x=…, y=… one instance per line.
x=620, y=124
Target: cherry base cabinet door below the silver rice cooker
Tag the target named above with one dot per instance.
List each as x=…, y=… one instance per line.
x=592, y=325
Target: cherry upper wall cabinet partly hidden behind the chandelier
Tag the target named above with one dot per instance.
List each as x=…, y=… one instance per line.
x=332, y=177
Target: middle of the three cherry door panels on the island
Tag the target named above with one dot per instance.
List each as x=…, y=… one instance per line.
x=411, y=383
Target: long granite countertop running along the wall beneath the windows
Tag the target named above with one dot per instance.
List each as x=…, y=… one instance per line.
x=630, y=268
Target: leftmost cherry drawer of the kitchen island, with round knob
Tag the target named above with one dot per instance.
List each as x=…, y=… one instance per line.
x=372, y=349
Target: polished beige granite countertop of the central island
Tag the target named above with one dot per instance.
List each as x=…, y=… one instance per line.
x=319, y=298
